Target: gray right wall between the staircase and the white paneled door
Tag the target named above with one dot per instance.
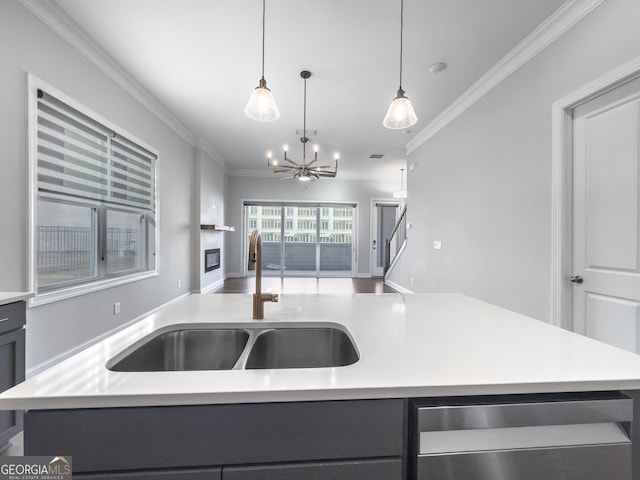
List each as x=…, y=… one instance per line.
x=482, y=185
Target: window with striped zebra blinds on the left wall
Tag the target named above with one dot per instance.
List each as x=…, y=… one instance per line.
x=94, y=198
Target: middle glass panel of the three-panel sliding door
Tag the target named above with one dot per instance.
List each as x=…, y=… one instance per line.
x=300, y=239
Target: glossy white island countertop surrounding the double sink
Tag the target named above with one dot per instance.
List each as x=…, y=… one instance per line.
x=410, y=346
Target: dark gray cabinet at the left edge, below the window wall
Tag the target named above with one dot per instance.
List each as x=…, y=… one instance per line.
x=12, y=364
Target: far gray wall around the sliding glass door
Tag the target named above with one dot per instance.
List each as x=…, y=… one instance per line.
x=273, y=188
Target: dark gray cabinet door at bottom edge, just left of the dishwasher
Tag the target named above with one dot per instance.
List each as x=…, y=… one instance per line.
x=383, y=469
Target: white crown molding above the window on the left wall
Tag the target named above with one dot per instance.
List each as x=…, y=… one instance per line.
x=52, y=15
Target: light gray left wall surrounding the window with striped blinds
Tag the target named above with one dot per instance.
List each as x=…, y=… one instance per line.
x=27, y=45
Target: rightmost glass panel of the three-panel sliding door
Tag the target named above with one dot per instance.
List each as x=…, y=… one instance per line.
x=336, y=241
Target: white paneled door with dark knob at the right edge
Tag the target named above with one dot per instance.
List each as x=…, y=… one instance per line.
x=606, y=217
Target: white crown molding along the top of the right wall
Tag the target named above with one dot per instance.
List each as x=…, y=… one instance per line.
x=546, y=33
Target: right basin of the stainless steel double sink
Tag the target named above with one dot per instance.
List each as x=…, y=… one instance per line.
x=302, y=348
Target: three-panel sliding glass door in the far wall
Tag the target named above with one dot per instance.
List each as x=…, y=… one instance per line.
x=304, y=239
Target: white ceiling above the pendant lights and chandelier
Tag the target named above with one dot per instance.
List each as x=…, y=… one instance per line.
x=201, y=59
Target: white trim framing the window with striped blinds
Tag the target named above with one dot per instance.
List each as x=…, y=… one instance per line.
x=33, y=84
